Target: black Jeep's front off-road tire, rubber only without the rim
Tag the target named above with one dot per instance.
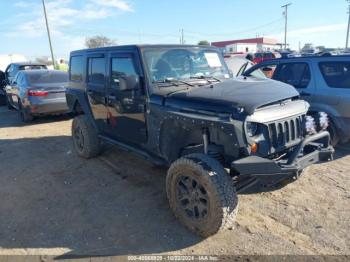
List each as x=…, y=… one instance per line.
x=221, y=192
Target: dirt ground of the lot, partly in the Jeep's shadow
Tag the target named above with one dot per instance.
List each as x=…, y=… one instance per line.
x=54, y=203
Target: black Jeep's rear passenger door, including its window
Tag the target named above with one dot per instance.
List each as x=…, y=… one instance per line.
x=96, y=88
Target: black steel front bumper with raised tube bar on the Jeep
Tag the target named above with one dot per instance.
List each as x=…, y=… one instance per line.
x=311, y=150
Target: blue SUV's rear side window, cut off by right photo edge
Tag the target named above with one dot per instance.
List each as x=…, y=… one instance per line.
x=336, y=74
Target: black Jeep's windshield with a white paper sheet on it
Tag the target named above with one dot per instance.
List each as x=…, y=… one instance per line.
x=184, y=64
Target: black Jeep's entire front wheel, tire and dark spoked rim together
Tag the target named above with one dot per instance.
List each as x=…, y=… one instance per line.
x=201, y=194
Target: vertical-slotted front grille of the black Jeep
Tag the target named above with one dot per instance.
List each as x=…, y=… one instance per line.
x=285, y=133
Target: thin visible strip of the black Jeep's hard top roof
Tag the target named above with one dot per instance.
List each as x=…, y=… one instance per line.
x=109, y=48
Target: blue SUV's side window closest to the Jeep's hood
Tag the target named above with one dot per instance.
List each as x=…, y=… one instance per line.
x=295, y=74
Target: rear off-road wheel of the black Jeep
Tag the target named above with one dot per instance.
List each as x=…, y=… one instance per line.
x=89, y=147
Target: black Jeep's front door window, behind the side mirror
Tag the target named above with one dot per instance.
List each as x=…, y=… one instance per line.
x=121, y=66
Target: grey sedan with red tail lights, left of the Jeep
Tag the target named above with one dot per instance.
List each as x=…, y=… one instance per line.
x=38, y=92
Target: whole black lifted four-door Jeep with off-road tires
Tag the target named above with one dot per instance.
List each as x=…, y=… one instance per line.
x=178, y=106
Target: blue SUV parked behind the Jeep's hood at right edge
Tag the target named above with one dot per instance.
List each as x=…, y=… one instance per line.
x=323, y=81
